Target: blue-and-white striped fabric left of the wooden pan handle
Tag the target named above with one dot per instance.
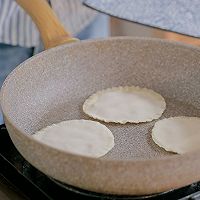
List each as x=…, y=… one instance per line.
x=16, y=27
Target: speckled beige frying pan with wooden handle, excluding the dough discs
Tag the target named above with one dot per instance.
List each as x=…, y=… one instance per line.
x=52, y=86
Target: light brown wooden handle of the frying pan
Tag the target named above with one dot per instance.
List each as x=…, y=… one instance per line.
x=51, y=30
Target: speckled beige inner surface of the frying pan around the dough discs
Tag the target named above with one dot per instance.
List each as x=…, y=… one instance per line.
x=60, y=83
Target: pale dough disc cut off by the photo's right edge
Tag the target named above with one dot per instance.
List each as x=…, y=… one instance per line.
x=178, y=134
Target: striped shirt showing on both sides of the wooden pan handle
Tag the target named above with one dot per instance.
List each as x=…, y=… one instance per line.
x=17, y=28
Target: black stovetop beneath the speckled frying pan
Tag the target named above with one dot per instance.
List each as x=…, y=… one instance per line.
x=36, y=185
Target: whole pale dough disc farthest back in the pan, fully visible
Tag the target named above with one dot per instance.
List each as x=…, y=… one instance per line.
x=125, y=104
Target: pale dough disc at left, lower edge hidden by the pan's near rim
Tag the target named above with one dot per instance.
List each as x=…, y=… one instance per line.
x=83, y=137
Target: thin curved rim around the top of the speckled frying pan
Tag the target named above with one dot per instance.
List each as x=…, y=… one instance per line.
x=19, y=131
